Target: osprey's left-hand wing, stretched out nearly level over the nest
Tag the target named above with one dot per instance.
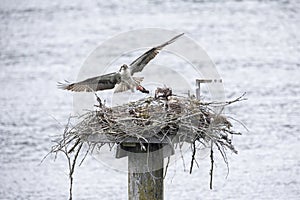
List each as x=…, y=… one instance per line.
x=104, y=82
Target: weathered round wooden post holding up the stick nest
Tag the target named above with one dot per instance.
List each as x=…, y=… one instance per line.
x=145, y=172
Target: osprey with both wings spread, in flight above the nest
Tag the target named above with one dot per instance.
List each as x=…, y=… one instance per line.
x=122, y=80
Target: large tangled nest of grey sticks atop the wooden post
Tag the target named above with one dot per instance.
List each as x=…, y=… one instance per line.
x=160, y=119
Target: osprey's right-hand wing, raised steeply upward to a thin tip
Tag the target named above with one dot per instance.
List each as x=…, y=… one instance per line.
x=139, y=64
